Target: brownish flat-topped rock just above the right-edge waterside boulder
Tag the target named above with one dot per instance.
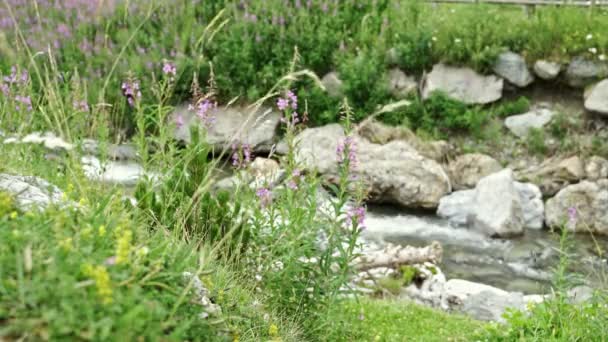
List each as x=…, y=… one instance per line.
x=554, y=174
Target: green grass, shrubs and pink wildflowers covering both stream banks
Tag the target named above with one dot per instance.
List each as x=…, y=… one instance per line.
x=102, y=268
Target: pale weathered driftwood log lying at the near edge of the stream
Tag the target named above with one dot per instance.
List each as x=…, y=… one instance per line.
x=394, y=256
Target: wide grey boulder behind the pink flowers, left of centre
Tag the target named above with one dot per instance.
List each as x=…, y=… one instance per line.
x=232, y=124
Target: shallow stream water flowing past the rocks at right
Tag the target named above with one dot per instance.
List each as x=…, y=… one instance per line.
x=522, y=264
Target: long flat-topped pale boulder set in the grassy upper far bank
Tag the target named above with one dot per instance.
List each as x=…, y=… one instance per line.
x=462, y=84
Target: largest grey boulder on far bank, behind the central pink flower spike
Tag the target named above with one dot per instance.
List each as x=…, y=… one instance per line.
x=394, y=172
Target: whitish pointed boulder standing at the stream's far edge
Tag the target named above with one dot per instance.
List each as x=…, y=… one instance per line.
x=514, y=206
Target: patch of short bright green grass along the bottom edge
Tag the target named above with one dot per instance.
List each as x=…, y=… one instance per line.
x=394, y=320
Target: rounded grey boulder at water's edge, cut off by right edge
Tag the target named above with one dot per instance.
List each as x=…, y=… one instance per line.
x=589, y=199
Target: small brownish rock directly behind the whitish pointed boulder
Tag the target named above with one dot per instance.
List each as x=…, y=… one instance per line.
x=466, y=170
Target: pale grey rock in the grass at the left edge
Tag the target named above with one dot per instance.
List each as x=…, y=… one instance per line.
x=30, y=192
